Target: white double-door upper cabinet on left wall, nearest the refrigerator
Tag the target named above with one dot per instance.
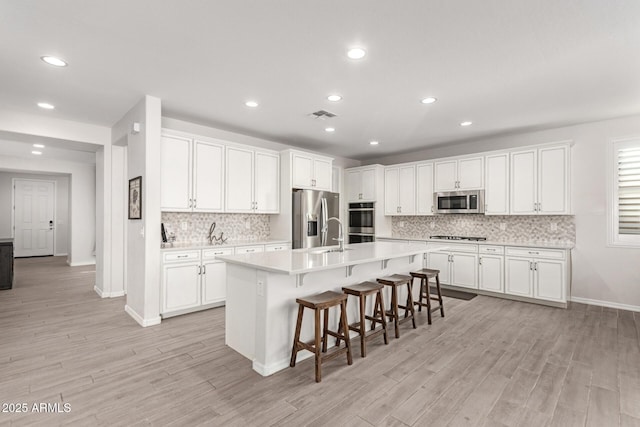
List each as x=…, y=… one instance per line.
x=252, y=181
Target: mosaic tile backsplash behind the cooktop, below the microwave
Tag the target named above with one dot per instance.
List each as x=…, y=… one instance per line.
x=550, y=228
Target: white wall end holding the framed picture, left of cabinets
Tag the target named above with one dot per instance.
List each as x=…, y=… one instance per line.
x=143, y=236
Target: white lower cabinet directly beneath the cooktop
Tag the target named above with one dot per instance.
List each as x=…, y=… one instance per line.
x=458, y=265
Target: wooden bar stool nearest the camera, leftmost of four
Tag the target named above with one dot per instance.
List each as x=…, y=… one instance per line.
x=318, y=303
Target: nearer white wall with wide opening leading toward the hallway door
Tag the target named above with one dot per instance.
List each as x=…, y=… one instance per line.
x=81, y=216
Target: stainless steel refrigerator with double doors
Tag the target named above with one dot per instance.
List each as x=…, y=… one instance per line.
x=311, y=210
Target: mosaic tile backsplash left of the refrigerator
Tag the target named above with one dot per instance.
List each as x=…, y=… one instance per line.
x=234, y=226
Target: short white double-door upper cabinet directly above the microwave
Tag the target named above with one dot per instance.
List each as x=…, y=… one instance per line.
x=459, y=174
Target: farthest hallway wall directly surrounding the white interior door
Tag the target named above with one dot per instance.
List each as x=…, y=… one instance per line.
x=62, y=206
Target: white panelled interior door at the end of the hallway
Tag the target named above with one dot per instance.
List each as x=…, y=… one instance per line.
x=34, y=220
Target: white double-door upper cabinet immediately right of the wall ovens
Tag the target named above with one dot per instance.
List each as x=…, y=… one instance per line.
x=400, y=190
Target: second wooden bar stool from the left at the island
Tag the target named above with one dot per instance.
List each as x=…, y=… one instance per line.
x=362, y=290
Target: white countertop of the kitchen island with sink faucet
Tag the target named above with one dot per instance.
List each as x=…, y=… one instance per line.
x=298, y=261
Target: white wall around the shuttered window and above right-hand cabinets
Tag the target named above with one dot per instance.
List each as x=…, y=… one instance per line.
x=601, y=274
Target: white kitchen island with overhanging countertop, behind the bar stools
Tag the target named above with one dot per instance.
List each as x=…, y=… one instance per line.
x=262, y=290
